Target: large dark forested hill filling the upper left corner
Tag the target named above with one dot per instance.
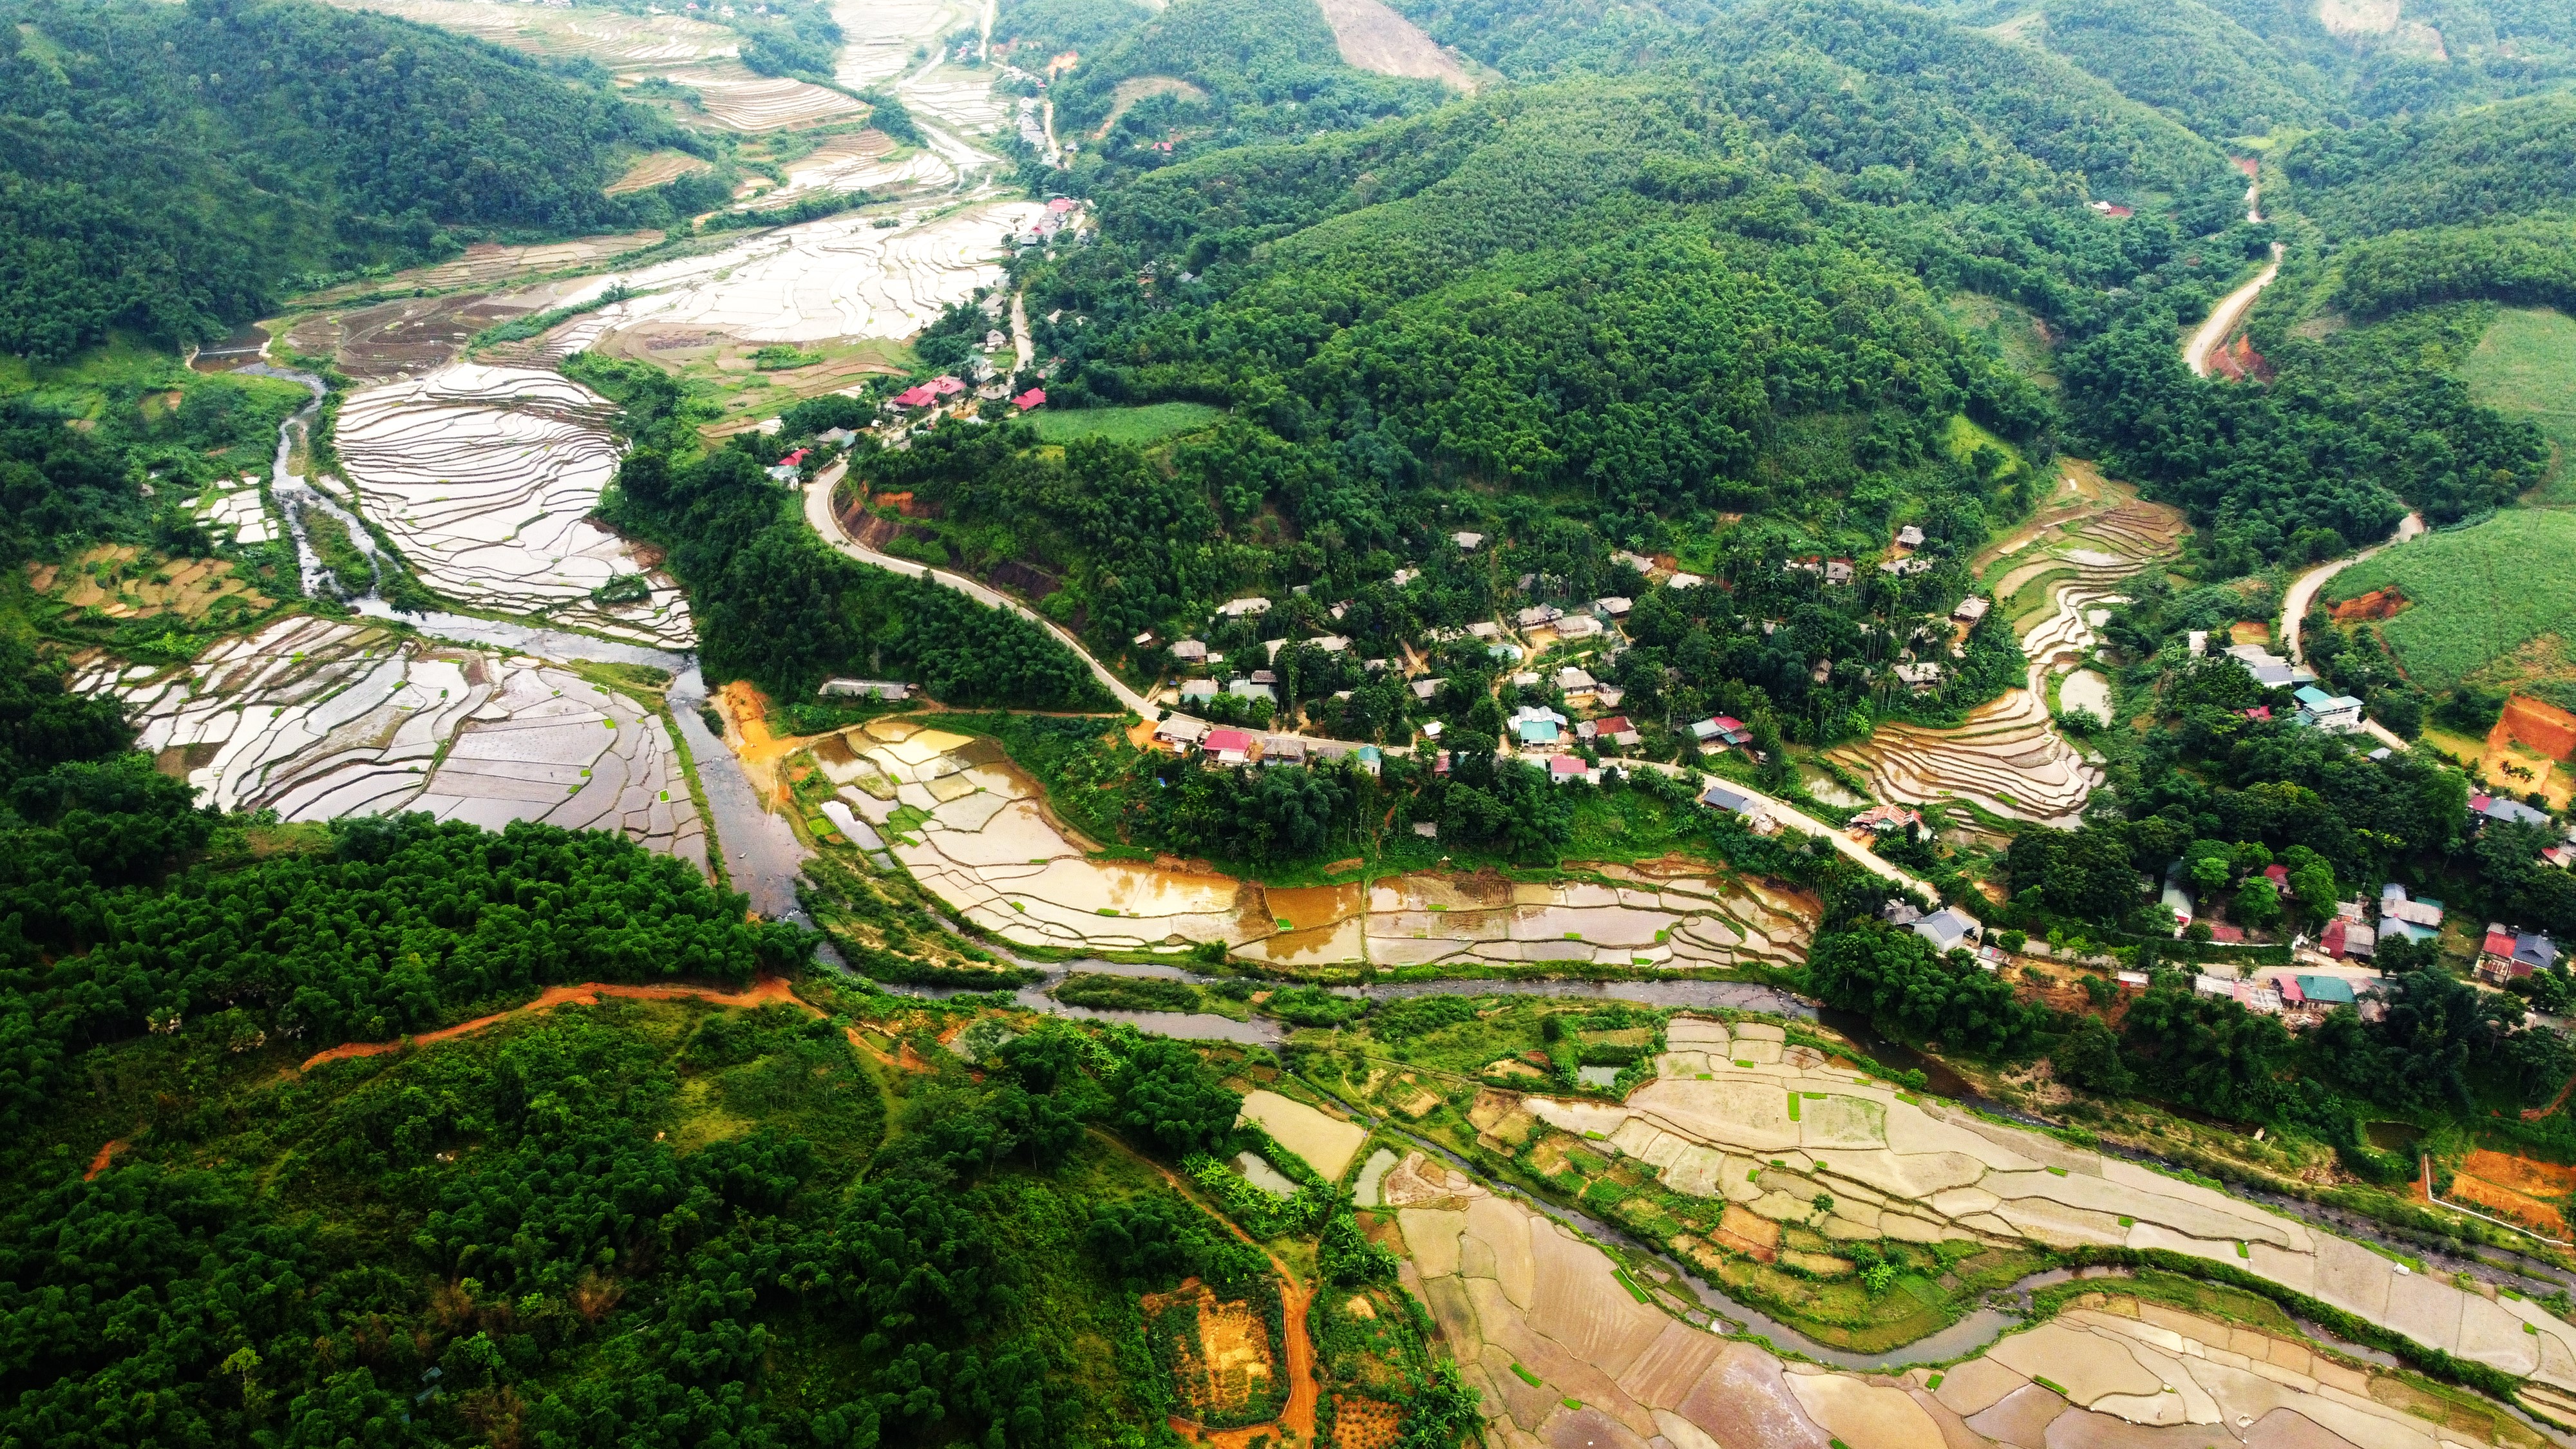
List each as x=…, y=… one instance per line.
x=174, y=169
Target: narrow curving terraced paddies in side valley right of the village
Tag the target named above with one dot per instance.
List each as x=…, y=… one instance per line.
x=2011, y=759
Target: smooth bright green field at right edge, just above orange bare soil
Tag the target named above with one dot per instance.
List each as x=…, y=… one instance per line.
x=2474, y=597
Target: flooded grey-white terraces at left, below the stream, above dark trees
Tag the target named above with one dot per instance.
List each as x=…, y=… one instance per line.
x=321, y=721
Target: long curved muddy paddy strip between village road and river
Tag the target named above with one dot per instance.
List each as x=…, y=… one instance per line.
x=972, y=829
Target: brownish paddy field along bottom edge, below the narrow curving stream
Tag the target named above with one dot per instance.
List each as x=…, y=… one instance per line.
x=1570, y=1350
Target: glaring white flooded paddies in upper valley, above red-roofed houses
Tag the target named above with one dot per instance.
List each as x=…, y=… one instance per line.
x=805, y=285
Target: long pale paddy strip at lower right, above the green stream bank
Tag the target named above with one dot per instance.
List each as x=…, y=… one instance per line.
x=1820, y=1146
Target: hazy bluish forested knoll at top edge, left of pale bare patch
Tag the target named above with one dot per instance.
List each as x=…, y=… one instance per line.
x=2186, y=61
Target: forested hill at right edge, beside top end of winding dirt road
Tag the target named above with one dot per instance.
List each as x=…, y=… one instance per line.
x=2503, y=161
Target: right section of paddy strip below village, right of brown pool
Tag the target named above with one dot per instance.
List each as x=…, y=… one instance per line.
x=1642, y=919
